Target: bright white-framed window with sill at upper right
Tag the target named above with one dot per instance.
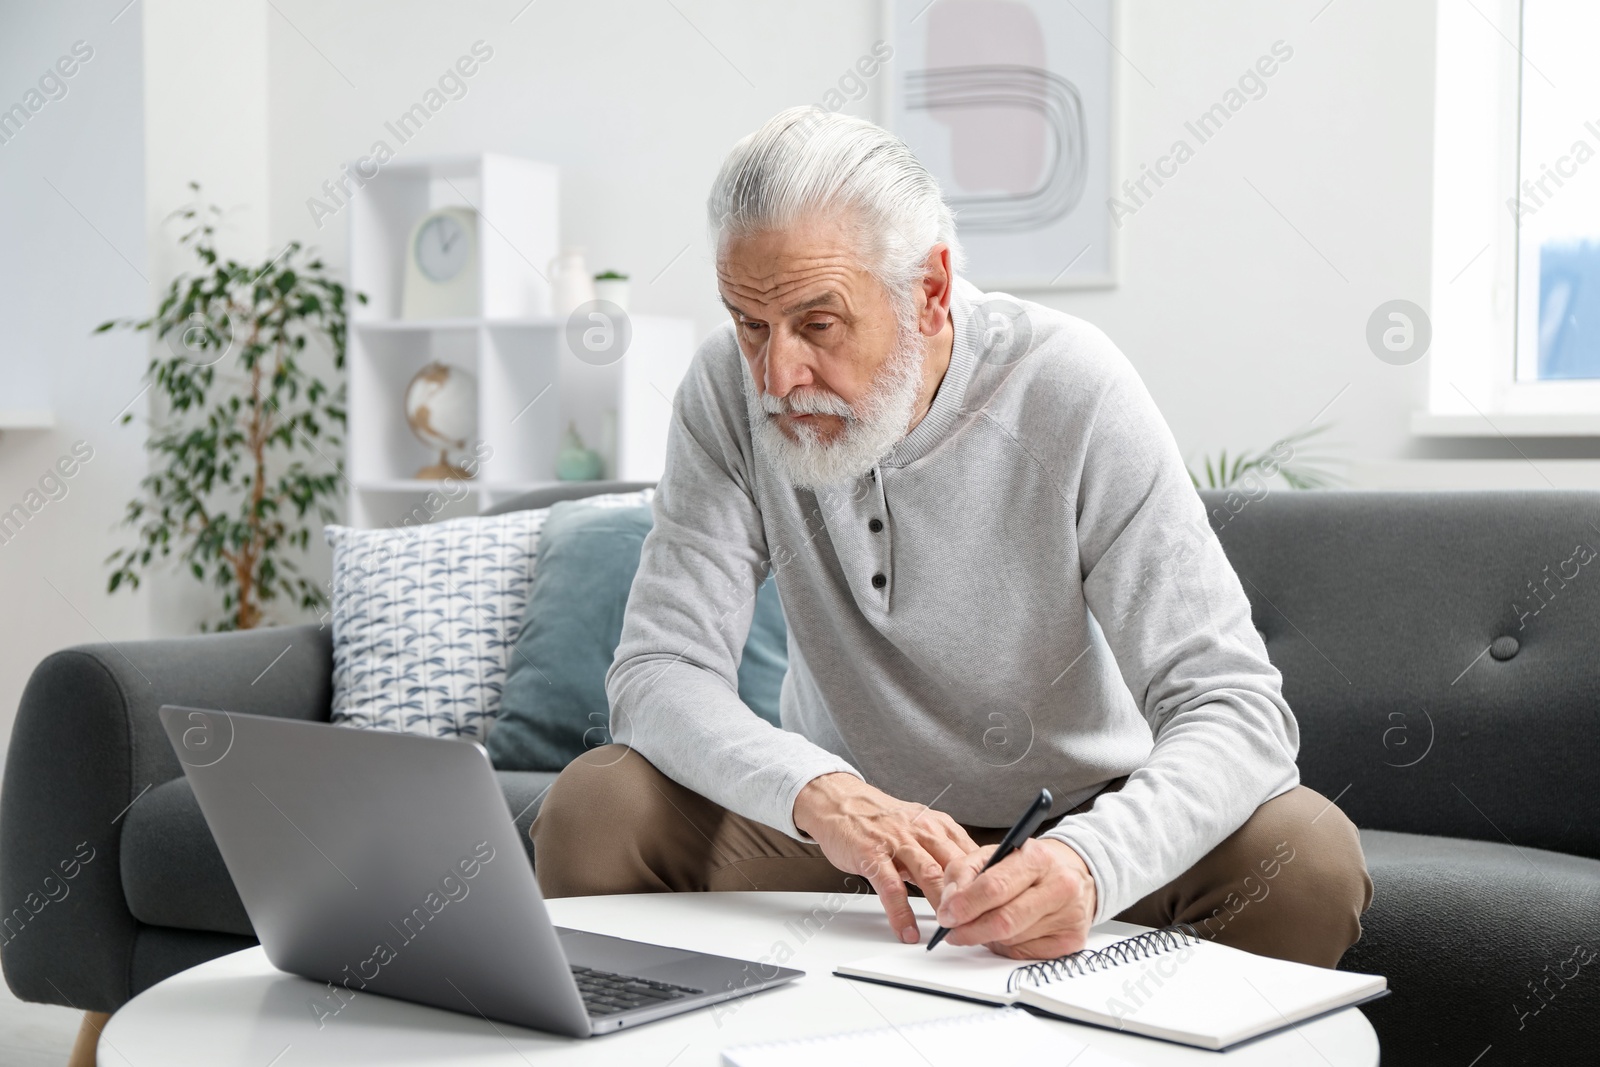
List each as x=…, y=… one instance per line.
x=1514, y=295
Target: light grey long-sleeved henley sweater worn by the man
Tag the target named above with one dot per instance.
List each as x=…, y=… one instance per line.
x=1055, y=612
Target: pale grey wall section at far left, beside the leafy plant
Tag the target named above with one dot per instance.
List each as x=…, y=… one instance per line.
x=73, y=233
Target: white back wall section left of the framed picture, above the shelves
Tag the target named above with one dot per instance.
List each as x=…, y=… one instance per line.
x=628, y=97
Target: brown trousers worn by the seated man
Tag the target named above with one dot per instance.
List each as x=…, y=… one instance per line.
x=1290, y=884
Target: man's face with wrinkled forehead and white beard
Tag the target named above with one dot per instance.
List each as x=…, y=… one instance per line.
x=833, y=374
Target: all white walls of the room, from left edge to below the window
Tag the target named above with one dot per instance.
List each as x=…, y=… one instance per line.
x=1247, y=281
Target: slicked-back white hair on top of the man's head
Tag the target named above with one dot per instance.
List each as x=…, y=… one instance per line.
x=806, y=162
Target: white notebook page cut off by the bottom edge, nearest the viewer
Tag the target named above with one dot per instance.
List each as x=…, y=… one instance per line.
x=978, y=1041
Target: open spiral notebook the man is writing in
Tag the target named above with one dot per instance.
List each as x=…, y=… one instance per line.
x=1161, y=983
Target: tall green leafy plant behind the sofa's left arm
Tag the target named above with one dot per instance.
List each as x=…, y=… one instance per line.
x=246, y=442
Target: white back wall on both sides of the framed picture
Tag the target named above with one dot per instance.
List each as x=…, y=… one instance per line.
x=1239, y=326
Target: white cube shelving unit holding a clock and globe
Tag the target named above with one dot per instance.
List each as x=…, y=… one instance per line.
x=530, y=385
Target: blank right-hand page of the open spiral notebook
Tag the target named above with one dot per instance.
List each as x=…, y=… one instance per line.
x=1207, y=994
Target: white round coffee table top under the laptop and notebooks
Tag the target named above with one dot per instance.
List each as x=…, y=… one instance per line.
x=239, y=1010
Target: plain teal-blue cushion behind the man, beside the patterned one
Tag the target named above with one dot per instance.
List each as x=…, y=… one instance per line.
x=554, y=705
